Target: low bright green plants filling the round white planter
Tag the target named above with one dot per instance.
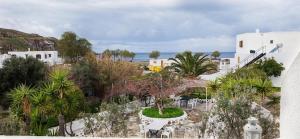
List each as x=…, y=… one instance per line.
x=167, y=112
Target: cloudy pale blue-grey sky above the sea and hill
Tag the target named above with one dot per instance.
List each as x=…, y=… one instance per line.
x=146, y=25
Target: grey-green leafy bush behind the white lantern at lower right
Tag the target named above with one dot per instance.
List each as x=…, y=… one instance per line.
x=230, y=116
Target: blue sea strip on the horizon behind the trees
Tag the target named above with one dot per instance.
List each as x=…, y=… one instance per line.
x=141, y=57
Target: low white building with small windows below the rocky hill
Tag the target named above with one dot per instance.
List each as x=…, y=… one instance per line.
x=49, y=57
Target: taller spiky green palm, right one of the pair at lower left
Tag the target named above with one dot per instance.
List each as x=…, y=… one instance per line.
x=65, y=98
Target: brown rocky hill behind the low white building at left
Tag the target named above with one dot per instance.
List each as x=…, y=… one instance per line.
x=12, y=40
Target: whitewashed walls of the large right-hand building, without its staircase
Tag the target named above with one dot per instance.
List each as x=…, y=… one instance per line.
x=290, y=42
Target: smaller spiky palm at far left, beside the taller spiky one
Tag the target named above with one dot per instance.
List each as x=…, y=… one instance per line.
x=21, y=104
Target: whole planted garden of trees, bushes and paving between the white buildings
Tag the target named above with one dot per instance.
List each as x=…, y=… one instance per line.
x=103, y=95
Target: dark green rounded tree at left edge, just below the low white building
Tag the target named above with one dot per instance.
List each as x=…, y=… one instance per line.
x=17, y=70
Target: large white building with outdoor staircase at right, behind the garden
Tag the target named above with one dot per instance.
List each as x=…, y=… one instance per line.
x=283, y=46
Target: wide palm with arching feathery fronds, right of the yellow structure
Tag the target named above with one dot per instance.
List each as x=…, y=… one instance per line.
x=192, y=65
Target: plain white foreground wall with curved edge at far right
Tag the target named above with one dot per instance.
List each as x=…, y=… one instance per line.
x=290, y=102
